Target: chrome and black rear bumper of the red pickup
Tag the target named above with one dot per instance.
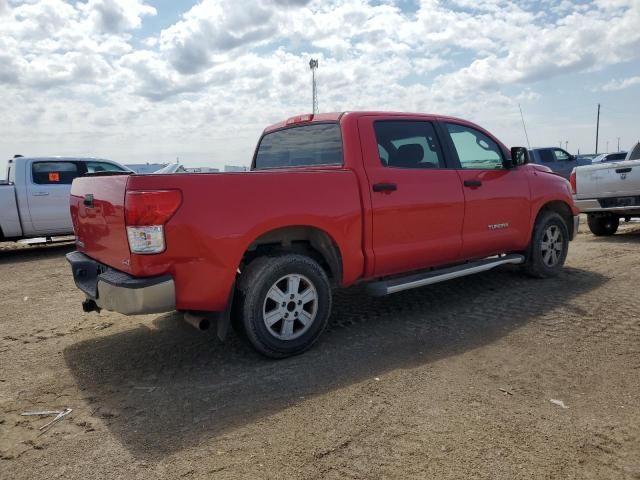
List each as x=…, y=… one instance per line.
x=120, y=292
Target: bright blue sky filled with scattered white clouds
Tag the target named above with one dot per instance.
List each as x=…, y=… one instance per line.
x=152, y=80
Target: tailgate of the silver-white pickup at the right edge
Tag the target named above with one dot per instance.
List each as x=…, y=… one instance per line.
x=608, y=180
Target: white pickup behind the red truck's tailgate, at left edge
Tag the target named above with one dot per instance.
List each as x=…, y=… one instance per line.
x=34, y=198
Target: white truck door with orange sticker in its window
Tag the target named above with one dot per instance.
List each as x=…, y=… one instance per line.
x=48, y=189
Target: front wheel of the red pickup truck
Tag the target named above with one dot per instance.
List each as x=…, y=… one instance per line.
x=542, y=262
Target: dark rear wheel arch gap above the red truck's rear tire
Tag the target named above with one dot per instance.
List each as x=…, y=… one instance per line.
x=304, y=239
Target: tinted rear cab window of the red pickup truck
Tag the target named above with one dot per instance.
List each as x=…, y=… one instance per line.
x=308, y=145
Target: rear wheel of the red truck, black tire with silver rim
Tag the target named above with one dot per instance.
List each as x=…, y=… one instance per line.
x=263, y=280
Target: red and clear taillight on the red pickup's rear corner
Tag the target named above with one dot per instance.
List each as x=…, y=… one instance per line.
x=146, y=213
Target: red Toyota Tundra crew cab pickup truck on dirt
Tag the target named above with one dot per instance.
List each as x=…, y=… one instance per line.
x=392, y=199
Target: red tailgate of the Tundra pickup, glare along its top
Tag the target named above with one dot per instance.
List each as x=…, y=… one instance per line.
x=97, y=210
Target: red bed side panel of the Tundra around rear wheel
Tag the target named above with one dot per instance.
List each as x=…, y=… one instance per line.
x=222, y=214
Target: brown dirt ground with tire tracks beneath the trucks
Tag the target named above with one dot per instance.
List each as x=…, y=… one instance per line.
x=449, y=381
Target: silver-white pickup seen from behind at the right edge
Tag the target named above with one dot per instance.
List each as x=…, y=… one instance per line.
x=607, y=192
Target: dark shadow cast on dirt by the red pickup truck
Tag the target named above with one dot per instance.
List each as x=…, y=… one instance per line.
x=164, y=387
